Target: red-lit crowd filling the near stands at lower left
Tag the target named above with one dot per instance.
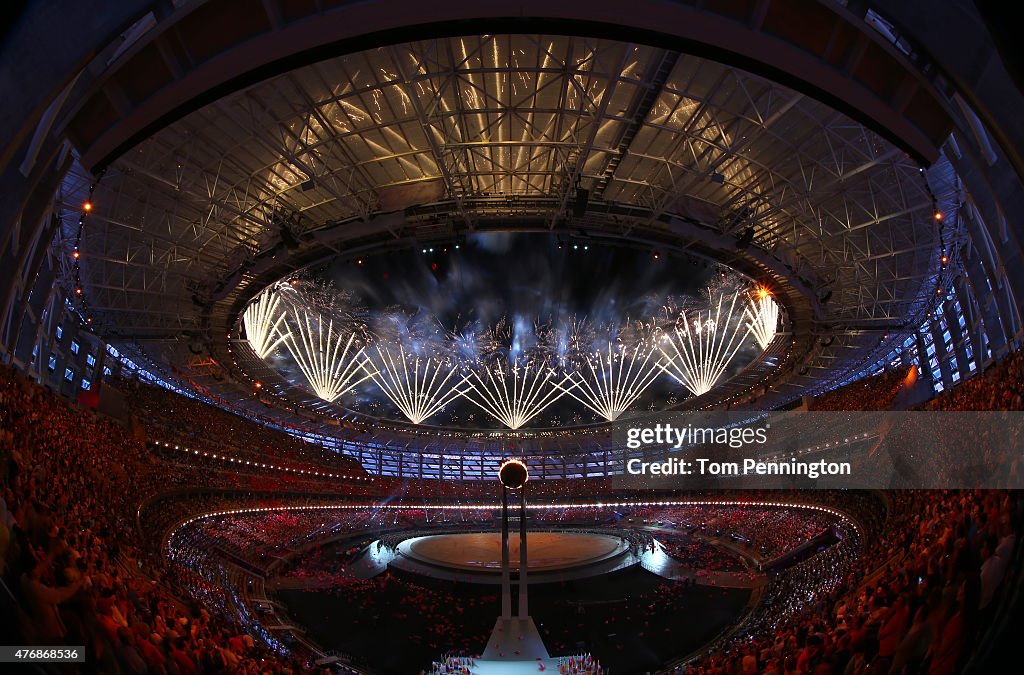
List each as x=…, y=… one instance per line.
x=71, y=485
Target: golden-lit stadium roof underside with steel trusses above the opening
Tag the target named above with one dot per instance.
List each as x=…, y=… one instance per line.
x=426, y=142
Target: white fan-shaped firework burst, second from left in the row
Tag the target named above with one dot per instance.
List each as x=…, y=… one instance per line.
x=325, y=358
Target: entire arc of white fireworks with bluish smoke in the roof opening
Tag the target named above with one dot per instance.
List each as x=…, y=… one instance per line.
x=511, y=370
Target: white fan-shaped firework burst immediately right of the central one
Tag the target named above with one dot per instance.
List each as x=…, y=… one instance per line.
x=611, y=383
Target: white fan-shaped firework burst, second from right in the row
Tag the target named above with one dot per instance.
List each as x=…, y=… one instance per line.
x=700, y=350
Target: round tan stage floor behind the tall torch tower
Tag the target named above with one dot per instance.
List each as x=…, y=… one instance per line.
x=482, y=553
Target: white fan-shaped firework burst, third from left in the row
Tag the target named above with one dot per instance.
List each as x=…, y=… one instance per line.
x=419, y=387
